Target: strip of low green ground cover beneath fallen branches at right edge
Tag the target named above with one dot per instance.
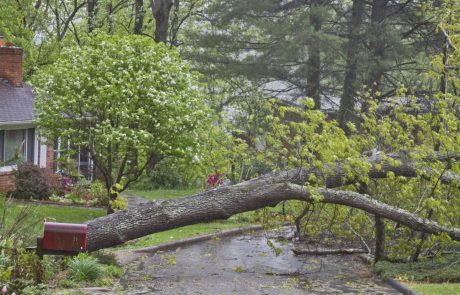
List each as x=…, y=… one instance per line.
x=435, y=270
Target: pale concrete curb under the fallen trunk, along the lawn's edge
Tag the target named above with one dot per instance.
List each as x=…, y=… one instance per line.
x=129, y=255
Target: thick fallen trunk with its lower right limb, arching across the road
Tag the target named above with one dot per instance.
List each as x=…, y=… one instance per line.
x=223, y=202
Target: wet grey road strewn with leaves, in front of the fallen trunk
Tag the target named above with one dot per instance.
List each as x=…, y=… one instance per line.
x=247, y=264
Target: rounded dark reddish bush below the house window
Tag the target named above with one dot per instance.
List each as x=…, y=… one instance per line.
x=31, y=182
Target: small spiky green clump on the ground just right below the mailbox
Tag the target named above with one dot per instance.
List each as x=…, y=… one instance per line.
x=85, y=268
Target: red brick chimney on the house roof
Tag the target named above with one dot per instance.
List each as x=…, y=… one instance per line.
x=10, y=63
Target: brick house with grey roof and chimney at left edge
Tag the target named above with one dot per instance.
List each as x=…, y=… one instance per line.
x=19, y=138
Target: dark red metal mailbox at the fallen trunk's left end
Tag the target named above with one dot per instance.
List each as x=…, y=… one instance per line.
x=64, y=237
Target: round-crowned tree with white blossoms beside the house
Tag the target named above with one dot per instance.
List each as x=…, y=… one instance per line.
x=126, y=100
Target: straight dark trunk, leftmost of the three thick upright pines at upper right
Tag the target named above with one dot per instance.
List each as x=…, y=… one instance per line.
x=314, y=54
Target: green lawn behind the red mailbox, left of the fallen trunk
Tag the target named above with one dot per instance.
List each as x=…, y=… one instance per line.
x=34, y=215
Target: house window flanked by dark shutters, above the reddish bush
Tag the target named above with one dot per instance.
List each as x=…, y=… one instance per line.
x=17, y=144
